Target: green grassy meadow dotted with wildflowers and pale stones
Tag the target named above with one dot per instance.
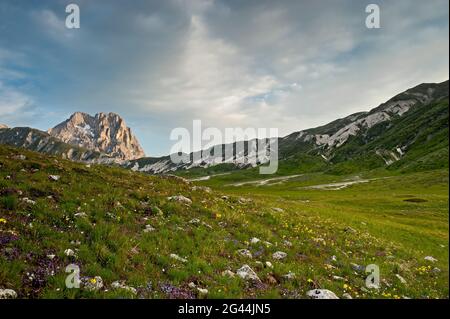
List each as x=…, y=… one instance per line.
x=367, y=223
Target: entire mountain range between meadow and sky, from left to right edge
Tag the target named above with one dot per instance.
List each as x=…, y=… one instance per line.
x=365, y=137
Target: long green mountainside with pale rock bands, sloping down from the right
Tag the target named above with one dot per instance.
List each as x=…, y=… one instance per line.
x=410, y=127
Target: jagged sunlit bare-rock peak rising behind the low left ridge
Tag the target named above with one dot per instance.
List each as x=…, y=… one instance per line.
x=105, y=133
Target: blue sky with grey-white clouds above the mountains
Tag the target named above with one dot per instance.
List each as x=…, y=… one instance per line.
x=290, y=65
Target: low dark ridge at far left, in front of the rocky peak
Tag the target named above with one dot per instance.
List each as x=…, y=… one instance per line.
x=40, y=141
